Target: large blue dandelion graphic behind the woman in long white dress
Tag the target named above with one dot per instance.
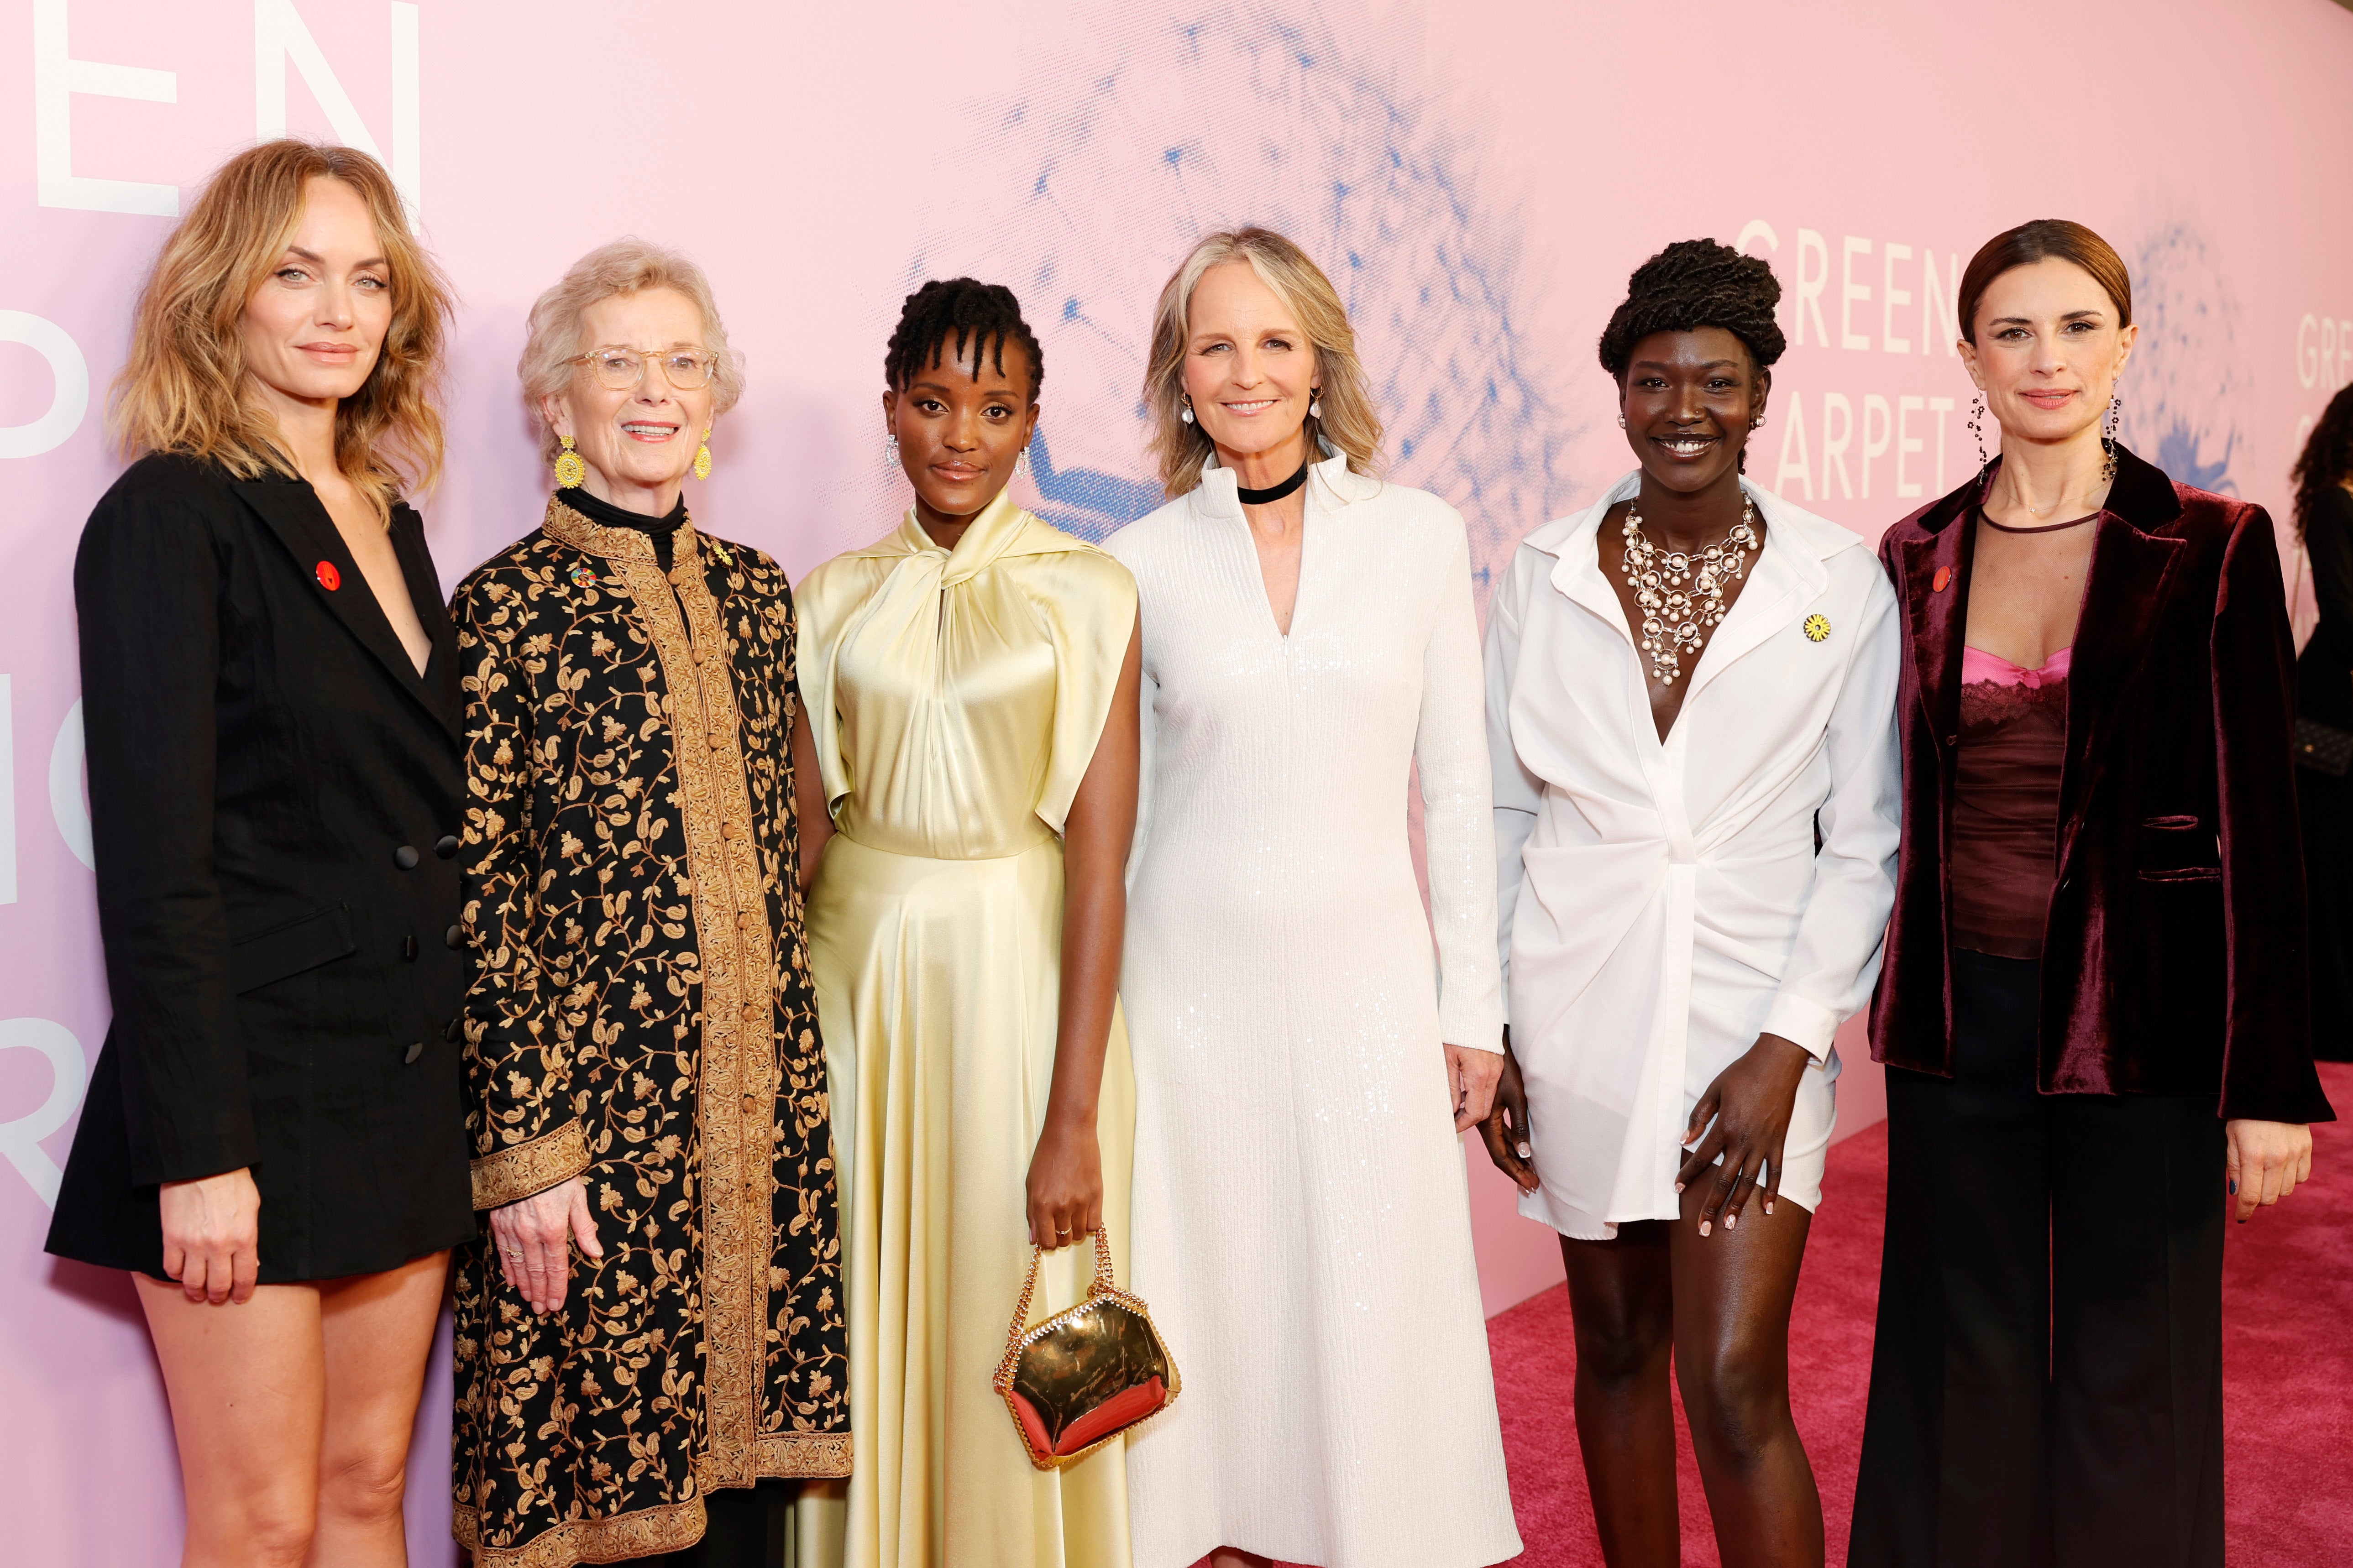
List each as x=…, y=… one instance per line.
x=1260, y=116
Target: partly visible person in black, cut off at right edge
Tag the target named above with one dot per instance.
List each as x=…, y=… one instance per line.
x=2326, y=721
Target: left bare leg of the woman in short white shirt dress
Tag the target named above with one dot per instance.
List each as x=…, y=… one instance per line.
x=1625, y=1308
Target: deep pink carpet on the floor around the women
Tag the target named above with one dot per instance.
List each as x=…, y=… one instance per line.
x=2288, y=1372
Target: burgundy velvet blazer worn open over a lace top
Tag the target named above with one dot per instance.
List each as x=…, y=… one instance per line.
x=2175, y=953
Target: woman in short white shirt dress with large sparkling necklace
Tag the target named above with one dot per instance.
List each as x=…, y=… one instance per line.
x=1691, y=709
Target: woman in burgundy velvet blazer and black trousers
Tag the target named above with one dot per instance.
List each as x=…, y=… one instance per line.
x=2093, y=1000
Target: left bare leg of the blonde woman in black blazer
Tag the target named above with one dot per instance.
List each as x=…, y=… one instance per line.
x=248, y=1398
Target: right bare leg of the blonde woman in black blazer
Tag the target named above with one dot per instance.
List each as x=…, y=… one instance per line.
x=378, y=1332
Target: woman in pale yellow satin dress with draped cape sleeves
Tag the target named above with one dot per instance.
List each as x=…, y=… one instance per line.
x=973, y=692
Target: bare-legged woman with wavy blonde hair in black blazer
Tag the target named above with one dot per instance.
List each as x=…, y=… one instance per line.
x=272, y=1141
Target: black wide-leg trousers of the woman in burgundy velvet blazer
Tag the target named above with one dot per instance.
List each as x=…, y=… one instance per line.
x=2046, y=1388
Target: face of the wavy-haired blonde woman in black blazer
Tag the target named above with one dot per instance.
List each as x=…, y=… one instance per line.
x=316, y=323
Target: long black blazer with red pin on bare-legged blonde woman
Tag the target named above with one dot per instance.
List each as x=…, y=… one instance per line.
x=274, y=798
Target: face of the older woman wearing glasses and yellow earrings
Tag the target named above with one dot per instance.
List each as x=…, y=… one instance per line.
x=641, y=441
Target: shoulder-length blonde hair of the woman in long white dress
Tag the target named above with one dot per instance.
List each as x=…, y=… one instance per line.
x=1349, y=422
